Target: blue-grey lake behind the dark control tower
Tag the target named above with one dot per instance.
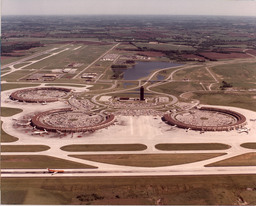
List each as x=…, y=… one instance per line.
x=143, y=69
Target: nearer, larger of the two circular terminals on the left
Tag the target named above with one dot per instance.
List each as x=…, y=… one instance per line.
x=67, y=120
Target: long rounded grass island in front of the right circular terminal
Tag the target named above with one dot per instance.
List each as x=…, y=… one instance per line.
x=192, y=146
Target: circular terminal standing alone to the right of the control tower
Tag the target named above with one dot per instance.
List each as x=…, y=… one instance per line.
x=206, y=119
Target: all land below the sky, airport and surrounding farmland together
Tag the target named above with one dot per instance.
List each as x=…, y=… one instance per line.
x=67, y=104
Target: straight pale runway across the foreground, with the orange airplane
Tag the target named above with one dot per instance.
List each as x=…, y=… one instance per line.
x=129, y=172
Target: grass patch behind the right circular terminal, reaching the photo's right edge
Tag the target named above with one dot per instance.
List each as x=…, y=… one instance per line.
x=242, y=99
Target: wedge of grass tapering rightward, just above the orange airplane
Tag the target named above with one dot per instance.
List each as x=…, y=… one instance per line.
x=37, y=162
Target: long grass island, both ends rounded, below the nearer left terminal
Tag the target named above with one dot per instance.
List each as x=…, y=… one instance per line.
x=104, y=147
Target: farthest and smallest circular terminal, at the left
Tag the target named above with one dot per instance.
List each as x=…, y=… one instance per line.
x=40, y=95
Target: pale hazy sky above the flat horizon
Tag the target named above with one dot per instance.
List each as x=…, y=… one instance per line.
x=129, y=7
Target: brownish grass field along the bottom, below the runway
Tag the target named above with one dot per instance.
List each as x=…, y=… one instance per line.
x=172, y=190
